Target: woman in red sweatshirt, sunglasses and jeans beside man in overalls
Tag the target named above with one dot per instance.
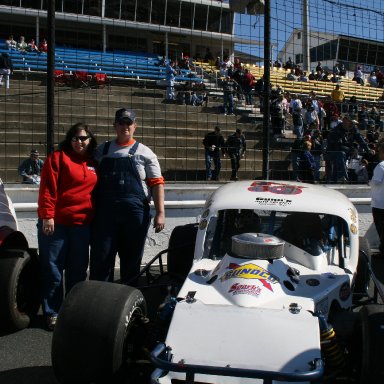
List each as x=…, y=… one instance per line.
x=65, y=210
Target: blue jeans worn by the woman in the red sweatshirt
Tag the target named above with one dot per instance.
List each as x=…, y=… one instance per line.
x=66, y=249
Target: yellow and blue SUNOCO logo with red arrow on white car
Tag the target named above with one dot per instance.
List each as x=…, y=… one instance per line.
x=250, y=271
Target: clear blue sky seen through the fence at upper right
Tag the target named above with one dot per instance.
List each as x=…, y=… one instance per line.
x=332, y=16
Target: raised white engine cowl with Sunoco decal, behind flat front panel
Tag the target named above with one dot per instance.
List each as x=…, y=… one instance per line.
x=264, y=284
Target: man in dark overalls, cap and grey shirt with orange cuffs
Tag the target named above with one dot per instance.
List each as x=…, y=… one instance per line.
x=129, y=174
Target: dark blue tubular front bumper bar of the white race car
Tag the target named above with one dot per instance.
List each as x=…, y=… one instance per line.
x=164, y=365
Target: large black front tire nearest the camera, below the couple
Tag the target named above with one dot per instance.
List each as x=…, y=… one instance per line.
x=89, y=342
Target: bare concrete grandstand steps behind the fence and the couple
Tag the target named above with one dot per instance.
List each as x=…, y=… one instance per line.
x=174, y=132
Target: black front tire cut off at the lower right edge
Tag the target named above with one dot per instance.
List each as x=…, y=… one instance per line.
x=371, y=327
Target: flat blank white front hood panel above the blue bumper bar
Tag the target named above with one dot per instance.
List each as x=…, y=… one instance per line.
x=250, y=338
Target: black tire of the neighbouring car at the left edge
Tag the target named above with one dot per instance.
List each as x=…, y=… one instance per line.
x=20, y=293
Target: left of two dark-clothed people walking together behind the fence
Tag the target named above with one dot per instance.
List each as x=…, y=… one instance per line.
x=214, y=145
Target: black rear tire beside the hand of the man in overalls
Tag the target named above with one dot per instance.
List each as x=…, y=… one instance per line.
x=181, y=249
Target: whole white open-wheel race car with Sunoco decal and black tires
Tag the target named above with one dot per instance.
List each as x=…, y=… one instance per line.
x=276, y=269
